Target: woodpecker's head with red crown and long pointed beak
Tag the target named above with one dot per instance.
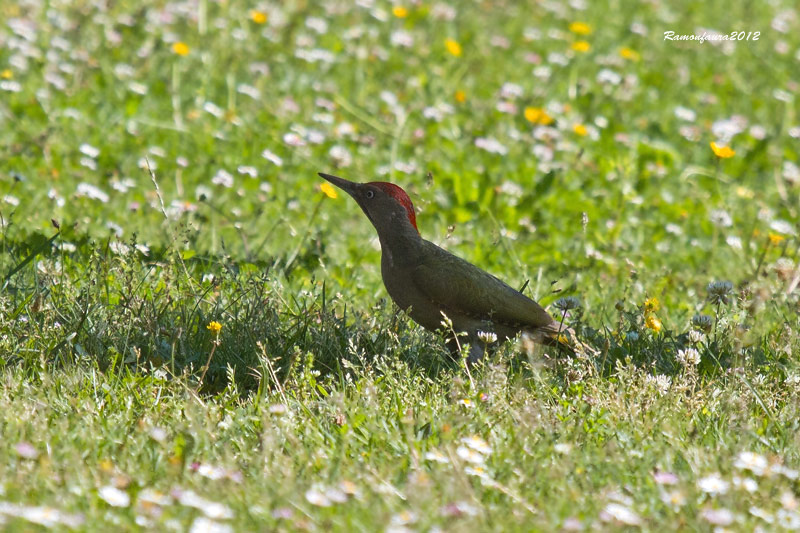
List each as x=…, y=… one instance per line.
x=386, y=205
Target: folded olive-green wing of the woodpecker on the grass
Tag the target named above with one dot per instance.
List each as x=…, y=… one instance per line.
x=461, y=287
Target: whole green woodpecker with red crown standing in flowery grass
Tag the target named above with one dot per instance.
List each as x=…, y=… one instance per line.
x=441, y=291
